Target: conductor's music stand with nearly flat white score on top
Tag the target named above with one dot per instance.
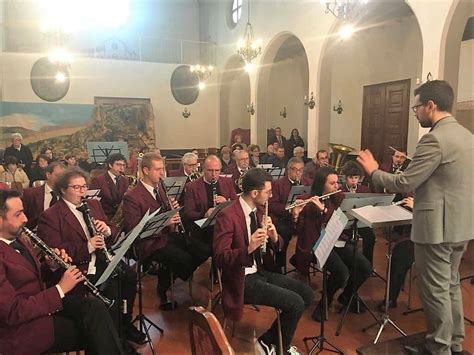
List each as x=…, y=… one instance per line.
x=384, y=216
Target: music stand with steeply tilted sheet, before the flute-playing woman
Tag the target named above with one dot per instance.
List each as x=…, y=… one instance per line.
x=322, y=249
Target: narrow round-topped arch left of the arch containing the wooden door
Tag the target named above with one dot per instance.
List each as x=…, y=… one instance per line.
x=282, y=83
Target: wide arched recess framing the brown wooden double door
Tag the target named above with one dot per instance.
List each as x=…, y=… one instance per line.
x=386, y=47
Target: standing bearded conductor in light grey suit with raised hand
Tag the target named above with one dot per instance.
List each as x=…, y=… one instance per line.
x=442, y=215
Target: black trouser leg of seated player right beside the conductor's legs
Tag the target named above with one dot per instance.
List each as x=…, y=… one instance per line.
x=402, y=259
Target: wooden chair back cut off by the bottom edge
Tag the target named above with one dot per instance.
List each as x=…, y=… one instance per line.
x=206, y=334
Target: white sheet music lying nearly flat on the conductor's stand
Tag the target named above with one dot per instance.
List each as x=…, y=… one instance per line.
x=383, y=215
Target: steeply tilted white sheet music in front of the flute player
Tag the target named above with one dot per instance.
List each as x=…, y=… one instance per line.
x=329, y=236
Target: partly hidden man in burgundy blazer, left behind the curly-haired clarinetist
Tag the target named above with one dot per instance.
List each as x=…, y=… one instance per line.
x=38, y=199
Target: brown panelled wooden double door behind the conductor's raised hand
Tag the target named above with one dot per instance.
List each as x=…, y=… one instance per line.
x=385, y=114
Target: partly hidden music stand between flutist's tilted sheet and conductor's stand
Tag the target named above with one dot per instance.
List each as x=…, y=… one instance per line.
x=354, y=200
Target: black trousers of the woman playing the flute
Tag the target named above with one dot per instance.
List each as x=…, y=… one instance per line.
x=341, y=266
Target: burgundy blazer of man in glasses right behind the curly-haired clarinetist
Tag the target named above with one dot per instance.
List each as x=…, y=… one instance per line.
x=111, y=194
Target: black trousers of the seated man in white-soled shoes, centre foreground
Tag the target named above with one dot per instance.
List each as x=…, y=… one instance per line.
x=288, y=295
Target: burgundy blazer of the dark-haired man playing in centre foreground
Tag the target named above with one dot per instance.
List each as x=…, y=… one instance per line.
x=230, y=255
